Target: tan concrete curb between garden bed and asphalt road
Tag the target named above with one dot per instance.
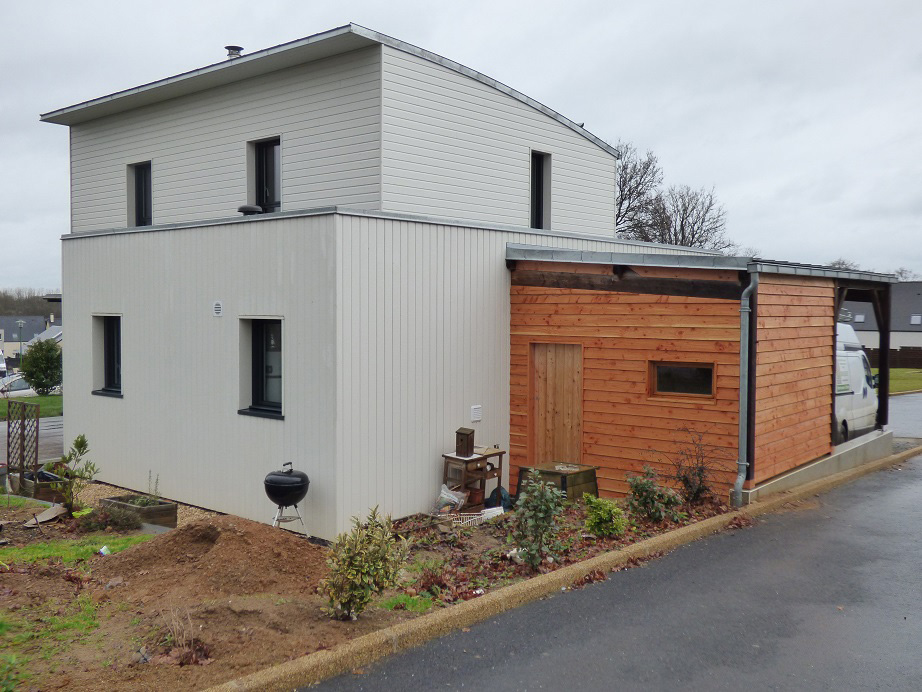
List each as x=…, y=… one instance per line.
x=318, y=666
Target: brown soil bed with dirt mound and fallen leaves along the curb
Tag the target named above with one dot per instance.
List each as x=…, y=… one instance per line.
x=222, y=597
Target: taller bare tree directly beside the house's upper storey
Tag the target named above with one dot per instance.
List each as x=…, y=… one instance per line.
x=638, y=180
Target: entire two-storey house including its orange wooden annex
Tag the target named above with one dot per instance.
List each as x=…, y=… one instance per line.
x=414, y=233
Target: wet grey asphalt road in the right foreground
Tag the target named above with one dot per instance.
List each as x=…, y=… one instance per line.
x=827, y=596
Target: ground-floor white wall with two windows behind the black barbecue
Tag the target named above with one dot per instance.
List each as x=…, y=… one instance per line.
x=180, y=365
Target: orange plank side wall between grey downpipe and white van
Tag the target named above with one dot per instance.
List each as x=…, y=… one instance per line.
x=794, y=370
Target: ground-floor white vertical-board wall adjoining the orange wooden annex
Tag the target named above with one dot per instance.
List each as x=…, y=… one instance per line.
x=423, y=332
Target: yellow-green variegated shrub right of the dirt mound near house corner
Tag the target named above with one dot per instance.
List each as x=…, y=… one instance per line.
x=363, y=563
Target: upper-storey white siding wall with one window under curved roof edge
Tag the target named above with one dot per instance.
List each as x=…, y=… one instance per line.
x=454, y=147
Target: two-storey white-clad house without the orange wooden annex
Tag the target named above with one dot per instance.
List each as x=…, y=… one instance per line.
x=350, y=318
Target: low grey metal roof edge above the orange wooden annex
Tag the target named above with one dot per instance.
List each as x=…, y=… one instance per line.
x=756, y=265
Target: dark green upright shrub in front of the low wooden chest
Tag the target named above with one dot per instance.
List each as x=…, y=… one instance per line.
x=534, y=527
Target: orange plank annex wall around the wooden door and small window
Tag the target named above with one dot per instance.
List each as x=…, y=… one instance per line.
x=623, y=427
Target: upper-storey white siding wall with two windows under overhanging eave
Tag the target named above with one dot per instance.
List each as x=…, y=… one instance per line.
x=327, y=114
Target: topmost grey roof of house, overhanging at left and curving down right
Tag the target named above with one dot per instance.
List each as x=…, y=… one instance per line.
x=336, y=41
